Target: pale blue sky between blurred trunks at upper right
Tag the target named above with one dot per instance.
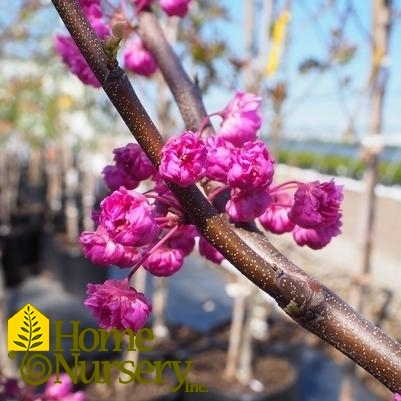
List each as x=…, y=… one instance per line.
x=317, y=105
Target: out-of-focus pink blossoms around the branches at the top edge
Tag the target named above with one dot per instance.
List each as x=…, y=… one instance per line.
x=136, y=57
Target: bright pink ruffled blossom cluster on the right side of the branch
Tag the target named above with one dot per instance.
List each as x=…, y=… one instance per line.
x=238, y=161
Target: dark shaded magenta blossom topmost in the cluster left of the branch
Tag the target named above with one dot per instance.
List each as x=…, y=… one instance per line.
x=133, y=161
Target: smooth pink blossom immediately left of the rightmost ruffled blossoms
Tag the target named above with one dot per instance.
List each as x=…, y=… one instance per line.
x=275, y=218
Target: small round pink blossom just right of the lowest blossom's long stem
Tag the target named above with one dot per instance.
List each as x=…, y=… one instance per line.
x=164, y=261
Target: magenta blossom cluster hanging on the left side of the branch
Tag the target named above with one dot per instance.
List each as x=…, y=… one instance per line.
x=135, y=229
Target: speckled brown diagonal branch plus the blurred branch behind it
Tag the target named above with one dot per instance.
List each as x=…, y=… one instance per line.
x=306, y=300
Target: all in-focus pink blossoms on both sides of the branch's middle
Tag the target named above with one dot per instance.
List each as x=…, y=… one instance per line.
x=150, y=229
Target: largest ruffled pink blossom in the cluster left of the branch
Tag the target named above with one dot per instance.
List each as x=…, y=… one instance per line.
x=128, y=218
